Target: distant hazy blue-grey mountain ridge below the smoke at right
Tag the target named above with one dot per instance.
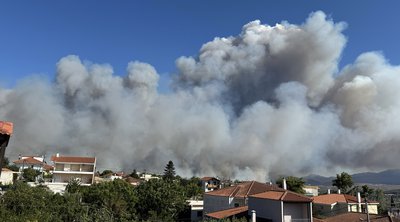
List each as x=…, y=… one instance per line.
x=391, y=176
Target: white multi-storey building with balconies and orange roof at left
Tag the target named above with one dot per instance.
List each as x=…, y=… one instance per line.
x=67, y=168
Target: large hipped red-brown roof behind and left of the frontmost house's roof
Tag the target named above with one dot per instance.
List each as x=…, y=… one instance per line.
x=245, y=189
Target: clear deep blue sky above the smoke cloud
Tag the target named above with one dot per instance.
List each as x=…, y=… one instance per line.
x=34, y=35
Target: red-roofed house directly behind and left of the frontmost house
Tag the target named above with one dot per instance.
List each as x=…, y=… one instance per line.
x=234, y=196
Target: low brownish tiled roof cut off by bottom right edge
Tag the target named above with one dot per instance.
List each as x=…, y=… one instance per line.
x=354, y=217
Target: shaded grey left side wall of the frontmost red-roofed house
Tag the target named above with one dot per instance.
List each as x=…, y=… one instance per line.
x=267, y=209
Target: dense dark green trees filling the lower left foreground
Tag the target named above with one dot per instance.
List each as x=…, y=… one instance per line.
x=155, y=200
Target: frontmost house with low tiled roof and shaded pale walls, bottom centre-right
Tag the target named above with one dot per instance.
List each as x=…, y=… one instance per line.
x=282, y=206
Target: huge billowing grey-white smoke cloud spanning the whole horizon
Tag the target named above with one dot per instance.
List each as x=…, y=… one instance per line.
x=266, y=102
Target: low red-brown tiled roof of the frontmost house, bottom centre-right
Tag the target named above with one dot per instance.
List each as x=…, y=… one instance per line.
x=285, y=196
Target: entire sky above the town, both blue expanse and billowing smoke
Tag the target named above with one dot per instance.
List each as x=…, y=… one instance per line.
x=229, y=88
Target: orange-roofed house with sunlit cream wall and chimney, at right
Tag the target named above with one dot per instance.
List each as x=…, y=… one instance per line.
x=333, y=204
